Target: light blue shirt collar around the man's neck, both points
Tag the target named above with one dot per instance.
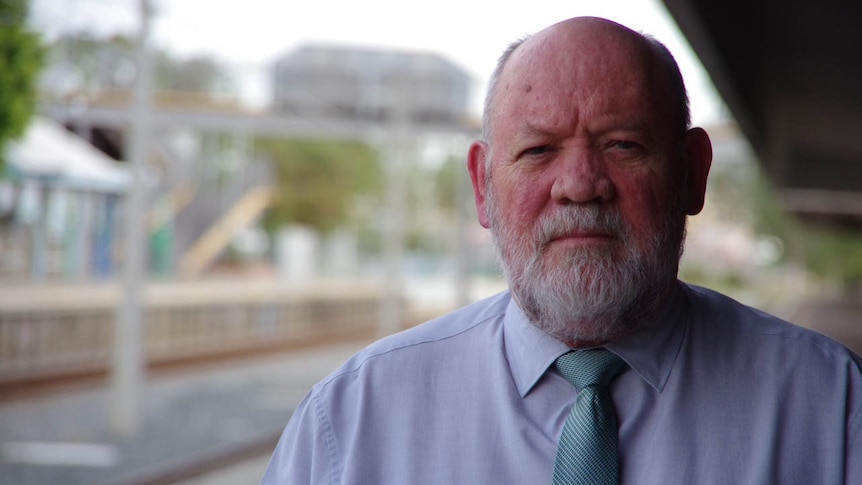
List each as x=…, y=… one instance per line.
x=650, y=351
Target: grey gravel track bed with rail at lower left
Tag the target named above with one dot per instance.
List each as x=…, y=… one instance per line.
x=206, y=425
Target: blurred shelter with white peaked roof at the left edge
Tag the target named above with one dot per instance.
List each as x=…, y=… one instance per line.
x=59, y=205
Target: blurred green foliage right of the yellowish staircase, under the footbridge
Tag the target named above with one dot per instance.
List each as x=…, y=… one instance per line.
x=320, y=182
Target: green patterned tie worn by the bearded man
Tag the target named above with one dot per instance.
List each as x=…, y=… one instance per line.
x=587, y=453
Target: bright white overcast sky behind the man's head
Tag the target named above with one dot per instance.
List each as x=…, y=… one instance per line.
x=251, y=33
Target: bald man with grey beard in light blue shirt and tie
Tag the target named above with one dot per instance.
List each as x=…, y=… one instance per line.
x=585, y=175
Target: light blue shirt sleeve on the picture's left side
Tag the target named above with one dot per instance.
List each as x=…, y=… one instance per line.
x=306, y=453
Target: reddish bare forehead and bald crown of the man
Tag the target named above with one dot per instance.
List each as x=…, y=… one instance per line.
x=594, y=71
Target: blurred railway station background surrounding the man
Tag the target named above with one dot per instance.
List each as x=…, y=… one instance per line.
x=206, y=206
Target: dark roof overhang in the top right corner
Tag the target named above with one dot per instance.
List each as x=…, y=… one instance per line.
x=791, y=75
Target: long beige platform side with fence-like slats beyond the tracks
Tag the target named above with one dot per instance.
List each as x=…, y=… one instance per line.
x=47, y=332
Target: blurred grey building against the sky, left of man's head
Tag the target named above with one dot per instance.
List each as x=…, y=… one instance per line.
x=370, y=84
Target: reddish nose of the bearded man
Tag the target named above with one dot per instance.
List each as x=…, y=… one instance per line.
x=581, y=177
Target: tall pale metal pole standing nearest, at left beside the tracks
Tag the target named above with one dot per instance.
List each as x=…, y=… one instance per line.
x=129, y=360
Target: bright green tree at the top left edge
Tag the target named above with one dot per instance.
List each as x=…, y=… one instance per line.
x=21, y=56
